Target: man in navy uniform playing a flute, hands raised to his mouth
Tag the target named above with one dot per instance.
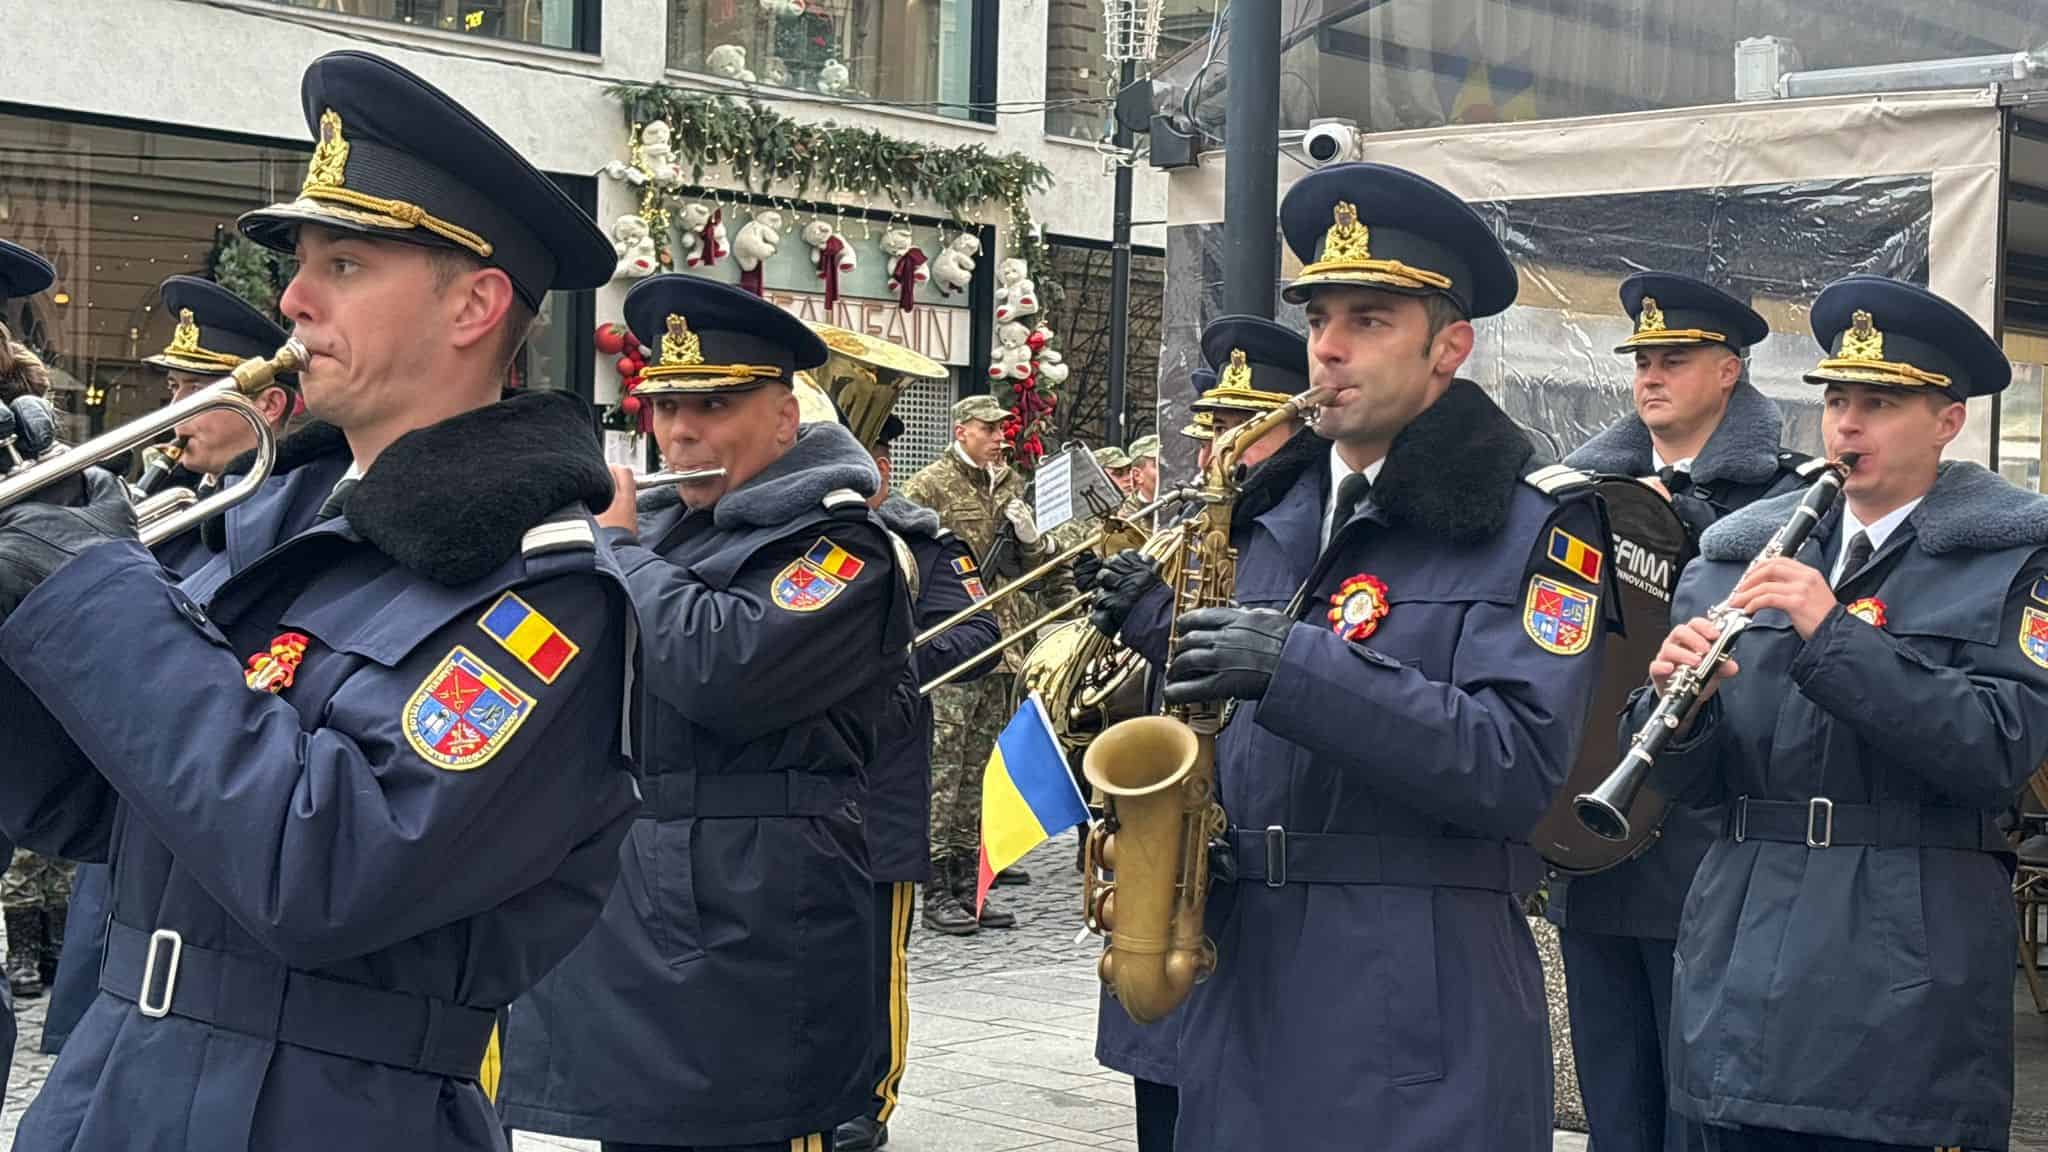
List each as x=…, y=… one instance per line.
x=724, y=997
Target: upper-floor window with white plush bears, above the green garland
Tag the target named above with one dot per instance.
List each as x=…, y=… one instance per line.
x=896, y=52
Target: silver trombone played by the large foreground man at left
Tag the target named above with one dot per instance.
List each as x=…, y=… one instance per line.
x=181, y=509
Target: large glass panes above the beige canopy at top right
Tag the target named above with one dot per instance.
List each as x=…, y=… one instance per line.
x=1410, y=65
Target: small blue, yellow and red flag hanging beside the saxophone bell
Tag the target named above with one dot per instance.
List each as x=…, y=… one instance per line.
x=1027, y=794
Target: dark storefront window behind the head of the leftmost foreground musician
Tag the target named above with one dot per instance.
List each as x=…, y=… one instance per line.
x=120, y=210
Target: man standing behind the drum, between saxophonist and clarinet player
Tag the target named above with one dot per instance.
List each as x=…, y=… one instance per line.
x=1711, y=440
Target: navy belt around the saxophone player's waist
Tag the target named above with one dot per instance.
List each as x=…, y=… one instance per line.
x=1279, y=858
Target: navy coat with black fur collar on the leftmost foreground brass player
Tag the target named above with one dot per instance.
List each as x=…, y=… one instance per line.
x=298, y=844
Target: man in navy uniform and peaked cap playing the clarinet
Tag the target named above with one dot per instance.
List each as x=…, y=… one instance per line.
x=1844, y=962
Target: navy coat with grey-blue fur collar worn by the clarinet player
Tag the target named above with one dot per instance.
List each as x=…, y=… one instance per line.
x=1865, y=991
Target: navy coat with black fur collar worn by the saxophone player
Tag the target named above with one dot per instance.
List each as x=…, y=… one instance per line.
x=1406, y=1012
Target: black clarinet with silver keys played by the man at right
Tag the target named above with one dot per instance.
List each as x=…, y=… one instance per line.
x=1605, y=811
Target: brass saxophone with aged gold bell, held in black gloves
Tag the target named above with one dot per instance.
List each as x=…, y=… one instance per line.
x=1158, y=780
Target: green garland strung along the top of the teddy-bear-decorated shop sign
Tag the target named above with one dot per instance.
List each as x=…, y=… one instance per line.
x=765, y=149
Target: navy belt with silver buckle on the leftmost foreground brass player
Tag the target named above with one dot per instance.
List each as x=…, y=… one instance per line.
x=257, y=997
